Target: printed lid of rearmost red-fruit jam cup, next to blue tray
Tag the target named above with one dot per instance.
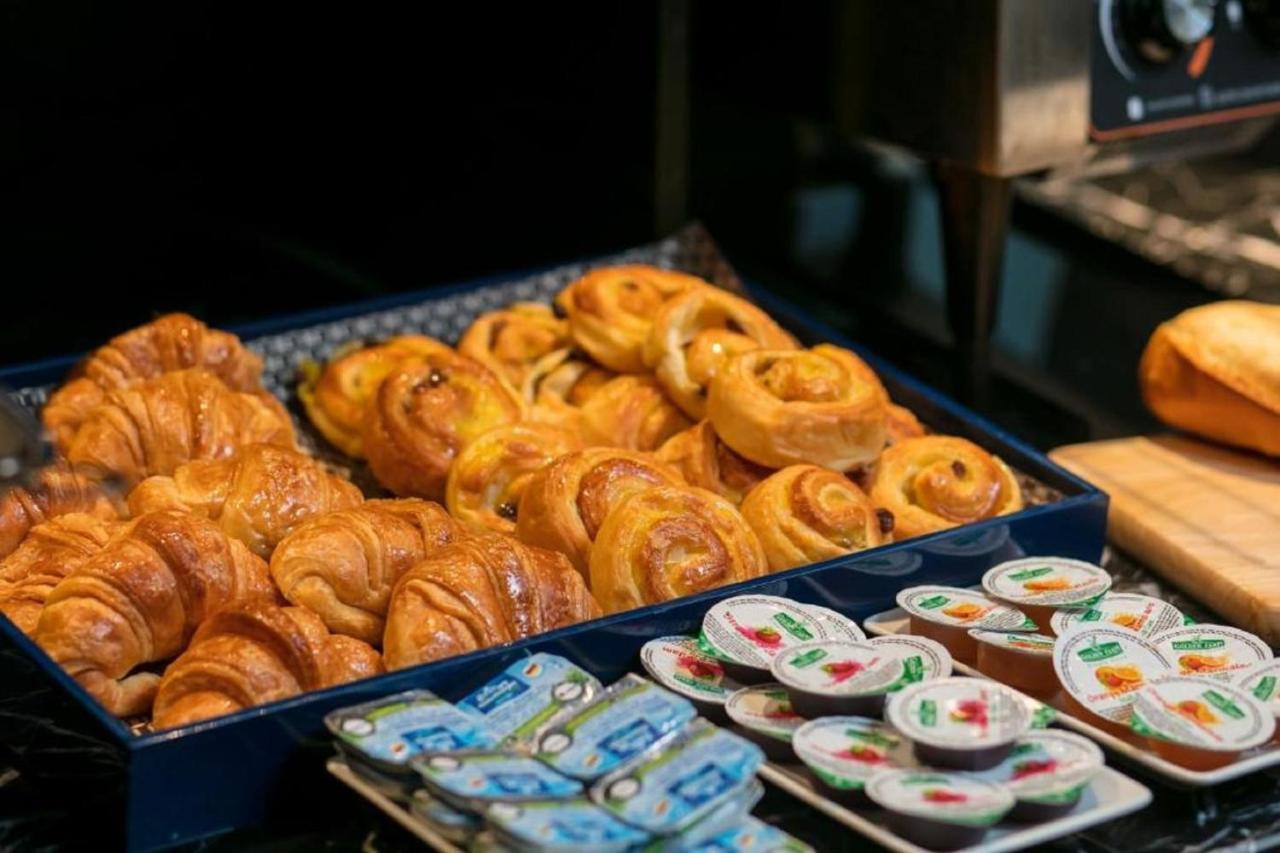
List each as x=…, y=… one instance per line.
x=752, y=630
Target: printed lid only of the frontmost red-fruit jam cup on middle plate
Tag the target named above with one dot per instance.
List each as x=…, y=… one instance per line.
x=952, y=799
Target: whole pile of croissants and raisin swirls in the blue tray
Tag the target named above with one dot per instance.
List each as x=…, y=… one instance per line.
x=647, y=437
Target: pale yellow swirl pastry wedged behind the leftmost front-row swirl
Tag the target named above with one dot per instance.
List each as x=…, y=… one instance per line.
x=490, y=476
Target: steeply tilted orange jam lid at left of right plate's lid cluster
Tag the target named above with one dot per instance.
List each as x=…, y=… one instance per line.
x=1103, y=667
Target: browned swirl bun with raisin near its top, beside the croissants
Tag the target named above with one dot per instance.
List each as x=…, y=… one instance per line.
x=426, y=413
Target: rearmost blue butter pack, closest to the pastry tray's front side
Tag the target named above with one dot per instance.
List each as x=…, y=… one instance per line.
x=529, y=695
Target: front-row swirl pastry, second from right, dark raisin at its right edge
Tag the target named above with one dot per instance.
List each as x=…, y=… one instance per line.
x=807, y=514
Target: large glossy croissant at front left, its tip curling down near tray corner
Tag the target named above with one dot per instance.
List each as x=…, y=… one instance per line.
x=140, y=600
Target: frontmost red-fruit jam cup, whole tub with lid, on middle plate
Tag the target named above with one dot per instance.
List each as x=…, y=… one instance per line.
x=939, y=811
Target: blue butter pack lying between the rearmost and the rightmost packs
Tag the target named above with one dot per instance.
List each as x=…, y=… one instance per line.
x=627, y=719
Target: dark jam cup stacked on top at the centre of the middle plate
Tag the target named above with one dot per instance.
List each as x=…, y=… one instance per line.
x=959, y=723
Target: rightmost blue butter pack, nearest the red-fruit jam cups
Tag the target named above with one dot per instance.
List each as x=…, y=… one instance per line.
x=678, y=784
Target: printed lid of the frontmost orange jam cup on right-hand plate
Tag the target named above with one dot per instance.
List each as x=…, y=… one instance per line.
x=1201, y=714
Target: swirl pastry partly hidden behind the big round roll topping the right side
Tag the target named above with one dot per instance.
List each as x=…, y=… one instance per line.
x=694, y=332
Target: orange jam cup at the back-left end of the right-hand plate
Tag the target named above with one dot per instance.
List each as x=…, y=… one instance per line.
x=947, y=614
